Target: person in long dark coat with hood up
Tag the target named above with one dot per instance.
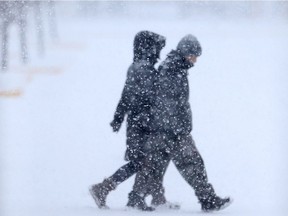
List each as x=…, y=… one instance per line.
x=136, y=101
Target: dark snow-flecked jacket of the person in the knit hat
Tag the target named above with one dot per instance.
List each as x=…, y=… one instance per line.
x=172, y=112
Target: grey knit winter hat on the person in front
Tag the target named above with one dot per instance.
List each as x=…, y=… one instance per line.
x=189, y=45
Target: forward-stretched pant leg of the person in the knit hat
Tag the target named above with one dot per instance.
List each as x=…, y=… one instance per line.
x=190, y=164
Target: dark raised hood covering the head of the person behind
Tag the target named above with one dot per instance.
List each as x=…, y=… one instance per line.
x=147, y=46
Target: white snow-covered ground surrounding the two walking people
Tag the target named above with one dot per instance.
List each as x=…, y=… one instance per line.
x=55, y=138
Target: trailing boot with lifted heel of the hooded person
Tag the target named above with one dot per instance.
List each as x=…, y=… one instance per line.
x=100, y=191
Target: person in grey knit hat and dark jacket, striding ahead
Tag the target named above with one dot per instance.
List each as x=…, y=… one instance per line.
x=171, y=138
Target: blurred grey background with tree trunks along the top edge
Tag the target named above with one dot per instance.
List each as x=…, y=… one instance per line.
x=20, y=18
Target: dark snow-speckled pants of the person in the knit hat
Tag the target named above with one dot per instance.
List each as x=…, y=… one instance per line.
x=182, y=151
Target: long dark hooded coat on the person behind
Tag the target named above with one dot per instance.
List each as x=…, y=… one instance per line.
x=138, y=94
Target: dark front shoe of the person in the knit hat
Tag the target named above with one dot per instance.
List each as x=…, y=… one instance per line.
x=214, y=203
